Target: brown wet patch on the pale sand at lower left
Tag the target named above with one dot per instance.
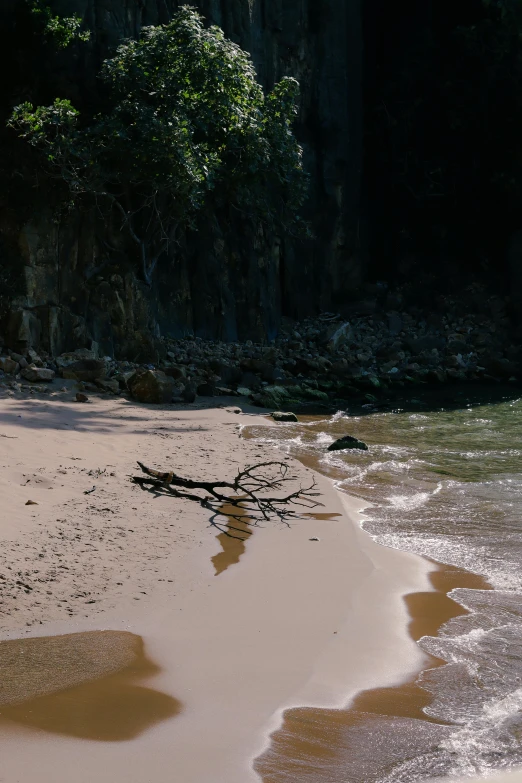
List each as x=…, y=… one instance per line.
x=83, y=685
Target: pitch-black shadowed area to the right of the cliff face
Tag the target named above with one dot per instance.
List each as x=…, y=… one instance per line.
x=443, y=119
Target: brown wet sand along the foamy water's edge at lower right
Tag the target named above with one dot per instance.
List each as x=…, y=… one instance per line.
x=326, y=746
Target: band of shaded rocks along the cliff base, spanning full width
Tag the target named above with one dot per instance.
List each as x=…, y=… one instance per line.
x=316, y=363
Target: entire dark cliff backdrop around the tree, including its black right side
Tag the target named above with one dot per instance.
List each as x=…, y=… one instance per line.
x=413, y=182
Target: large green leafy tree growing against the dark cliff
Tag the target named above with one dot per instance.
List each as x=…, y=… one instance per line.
x=188, y=124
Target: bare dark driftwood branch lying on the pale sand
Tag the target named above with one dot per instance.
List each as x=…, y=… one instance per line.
x=258, y=493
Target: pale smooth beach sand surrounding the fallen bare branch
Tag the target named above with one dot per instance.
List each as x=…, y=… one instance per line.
x=289, y=622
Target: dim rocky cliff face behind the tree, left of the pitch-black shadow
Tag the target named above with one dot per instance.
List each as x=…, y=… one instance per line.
x=72, y=286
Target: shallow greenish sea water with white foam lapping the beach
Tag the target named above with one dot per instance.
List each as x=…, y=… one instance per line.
x=447, y=484
